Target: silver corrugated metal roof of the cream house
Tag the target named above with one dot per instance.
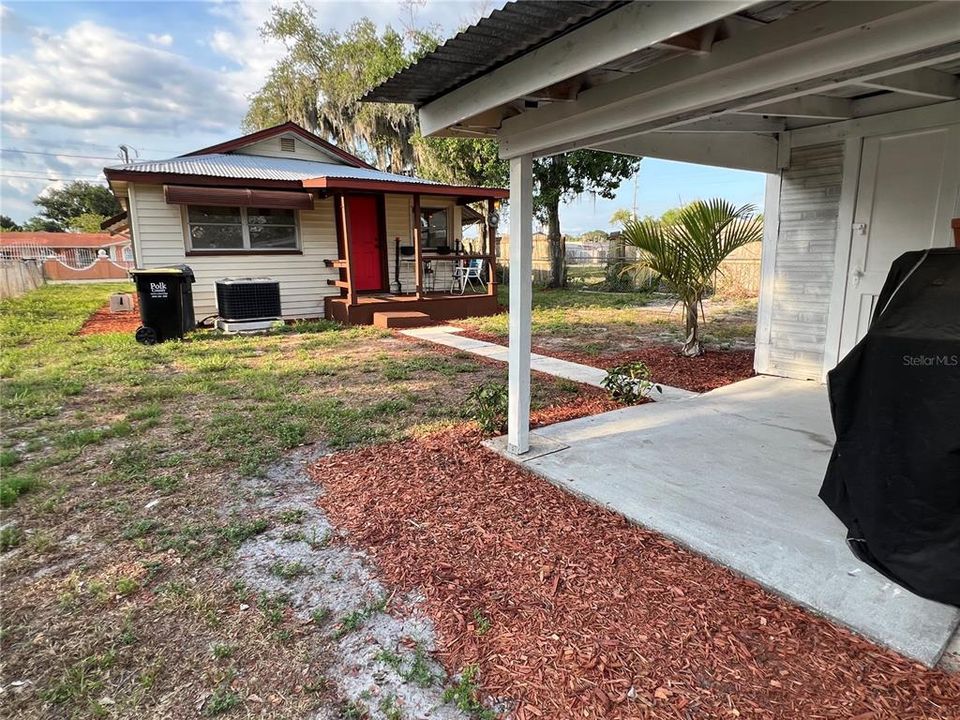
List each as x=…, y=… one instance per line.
x=259, y=167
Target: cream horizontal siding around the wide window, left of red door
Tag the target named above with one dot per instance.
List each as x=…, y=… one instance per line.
x=158, y=228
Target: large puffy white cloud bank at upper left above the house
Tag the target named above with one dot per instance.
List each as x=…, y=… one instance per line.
x=91, y=76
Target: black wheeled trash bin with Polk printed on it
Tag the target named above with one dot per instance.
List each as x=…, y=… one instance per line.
x=166, y=303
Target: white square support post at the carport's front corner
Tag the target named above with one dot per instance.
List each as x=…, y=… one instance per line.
x=521, y=297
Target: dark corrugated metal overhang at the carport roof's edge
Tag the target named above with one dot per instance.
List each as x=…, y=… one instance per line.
x=495, y=40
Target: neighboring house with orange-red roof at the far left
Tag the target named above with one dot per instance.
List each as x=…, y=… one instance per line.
x=76, y=249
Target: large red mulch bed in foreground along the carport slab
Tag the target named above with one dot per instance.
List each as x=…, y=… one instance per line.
x=592, y=617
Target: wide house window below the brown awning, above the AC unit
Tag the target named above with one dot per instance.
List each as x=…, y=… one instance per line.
x=214, y=228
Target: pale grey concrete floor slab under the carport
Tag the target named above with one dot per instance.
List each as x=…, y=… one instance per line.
x=734, y=474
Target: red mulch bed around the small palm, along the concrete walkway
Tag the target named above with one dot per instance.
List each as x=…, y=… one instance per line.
x=713, y=369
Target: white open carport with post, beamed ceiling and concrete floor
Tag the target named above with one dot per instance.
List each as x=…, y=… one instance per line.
x=852, y=110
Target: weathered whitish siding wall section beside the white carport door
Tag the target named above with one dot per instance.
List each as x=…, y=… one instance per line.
x=803, y=266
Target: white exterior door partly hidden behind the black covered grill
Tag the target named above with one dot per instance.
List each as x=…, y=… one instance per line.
x=909, y=190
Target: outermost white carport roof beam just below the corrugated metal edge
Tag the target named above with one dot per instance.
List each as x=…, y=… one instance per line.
x=611, y=36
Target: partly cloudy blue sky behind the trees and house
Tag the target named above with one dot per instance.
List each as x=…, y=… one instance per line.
x=79, y=78
